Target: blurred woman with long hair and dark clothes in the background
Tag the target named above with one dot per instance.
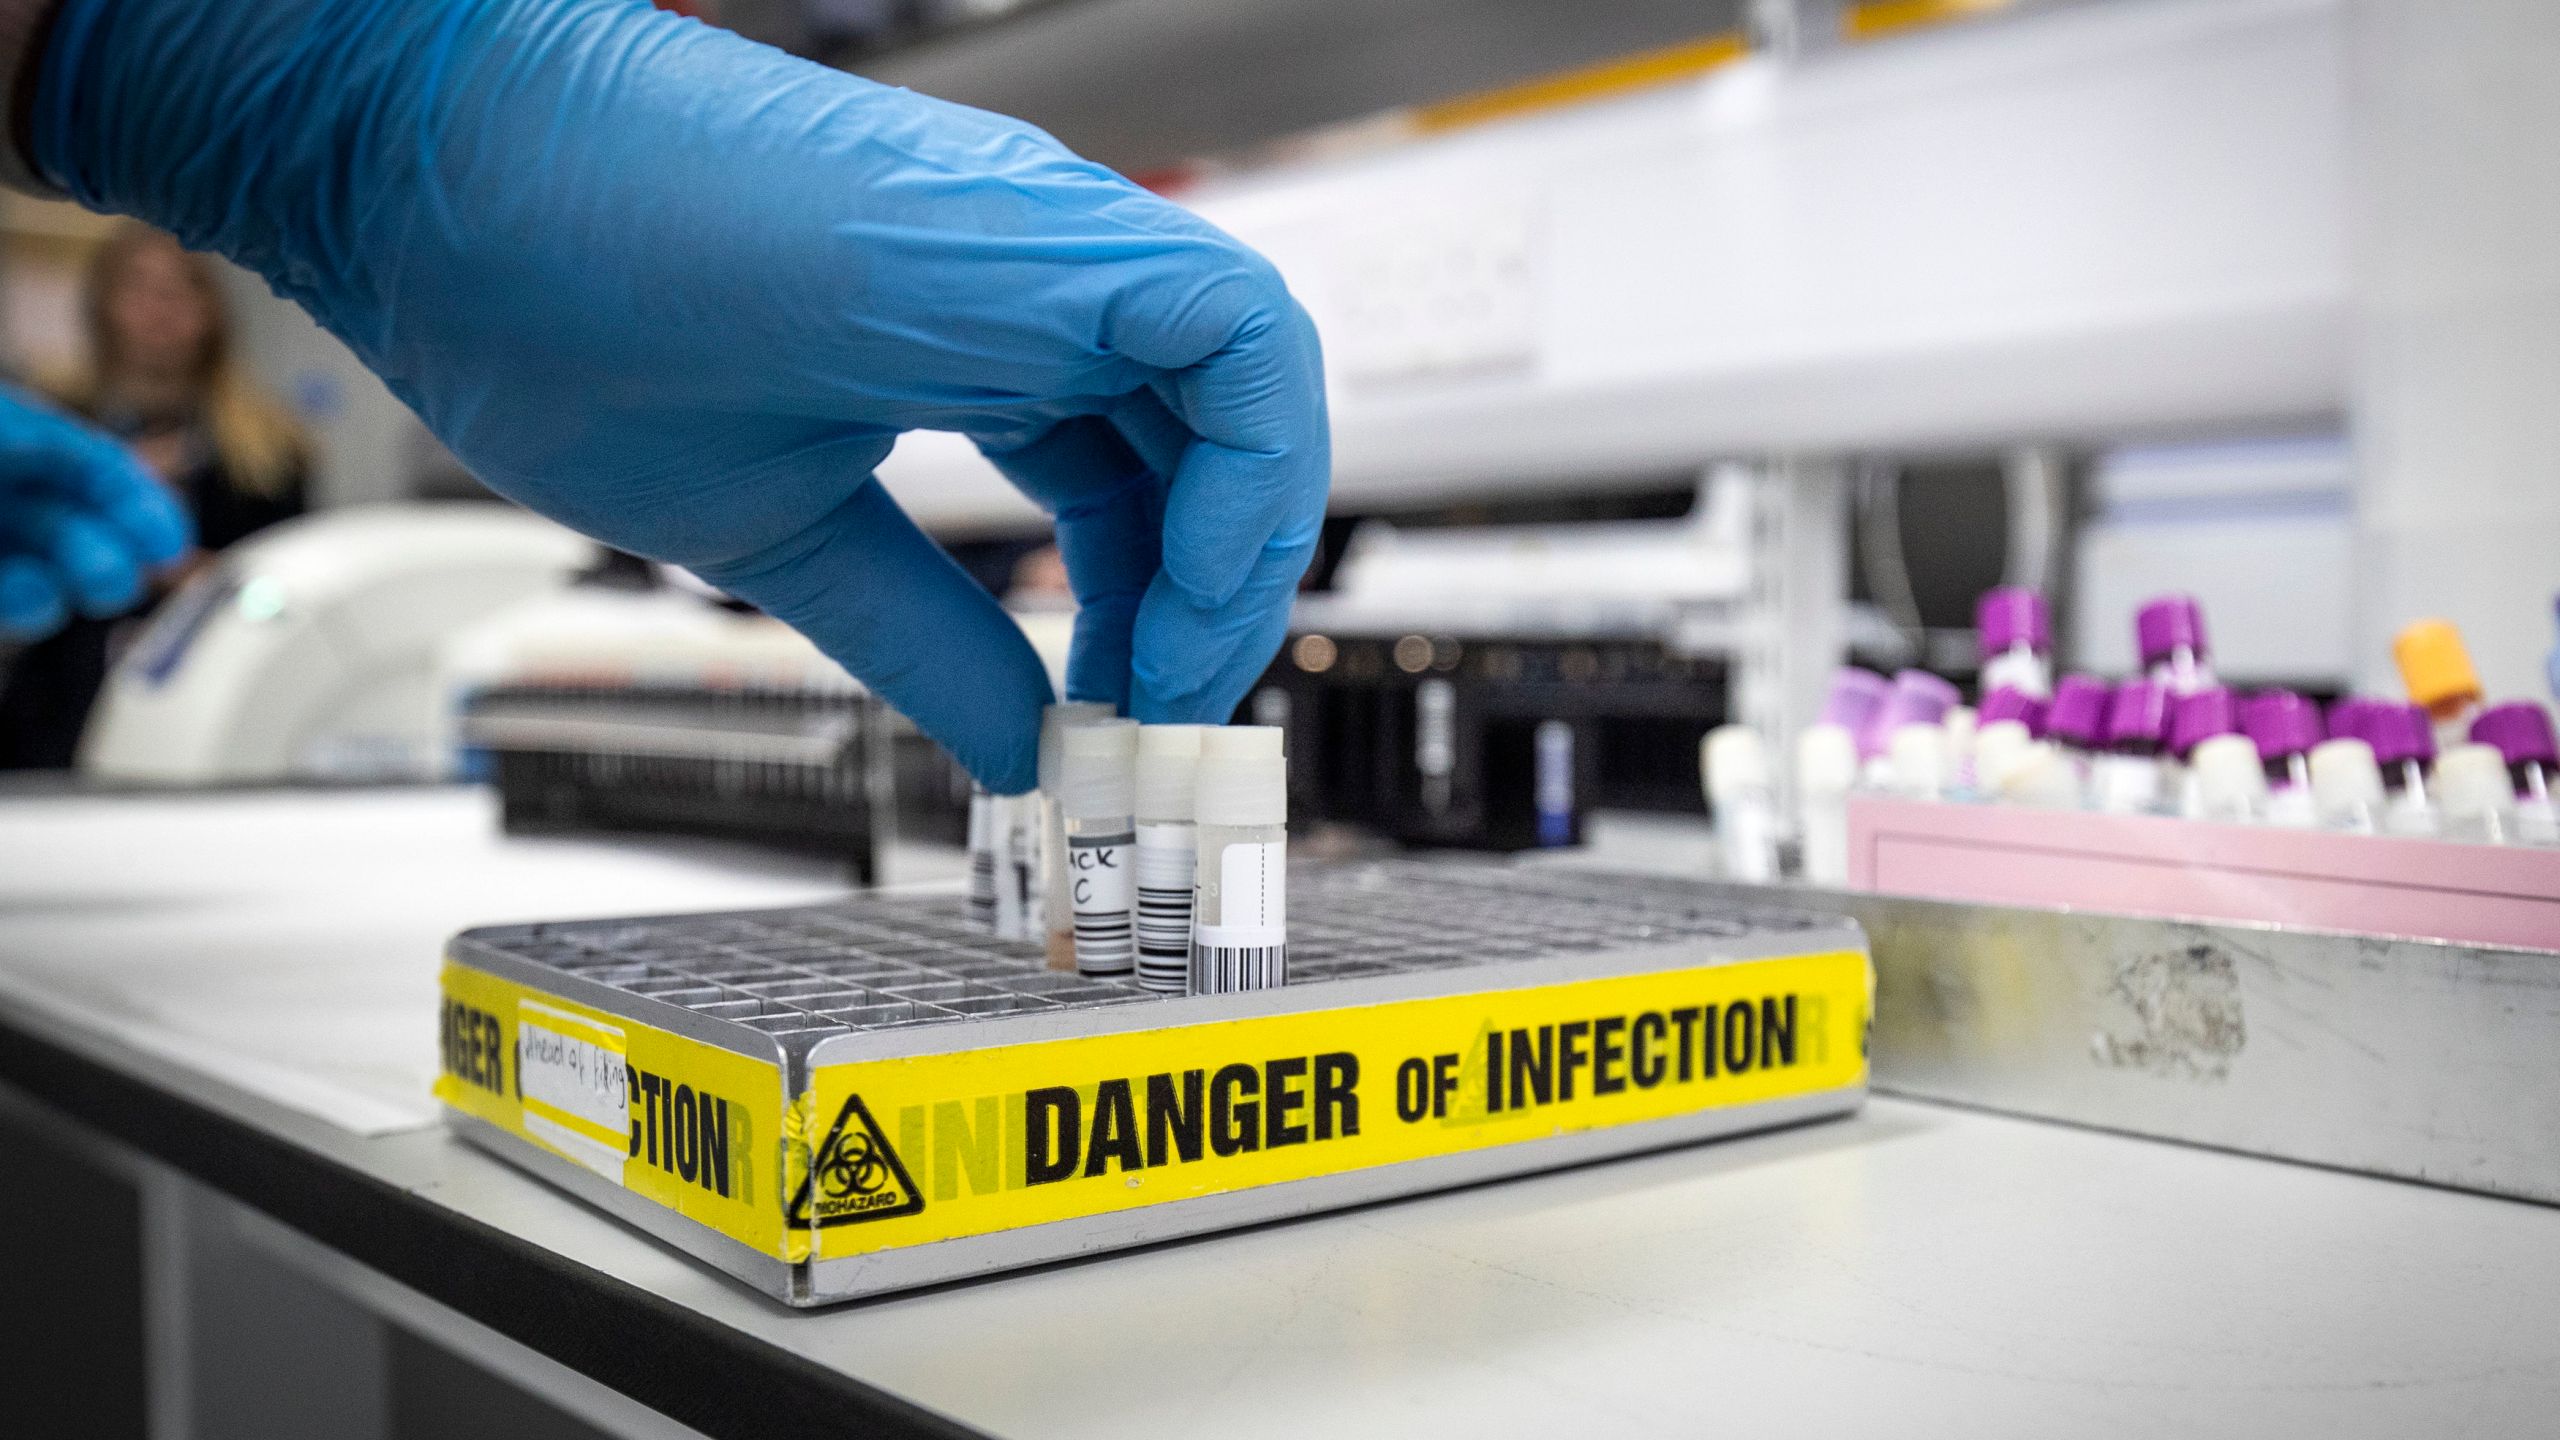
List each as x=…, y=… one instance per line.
x=163, y=380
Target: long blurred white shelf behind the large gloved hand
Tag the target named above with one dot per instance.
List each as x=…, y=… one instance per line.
x=2080, y=224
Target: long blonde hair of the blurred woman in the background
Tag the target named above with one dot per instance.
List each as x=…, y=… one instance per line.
x=257, y=439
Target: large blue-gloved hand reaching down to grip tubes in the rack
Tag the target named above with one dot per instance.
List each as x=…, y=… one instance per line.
x=682, y=293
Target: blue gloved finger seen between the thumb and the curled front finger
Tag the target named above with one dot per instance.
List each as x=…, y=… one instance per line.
x=1110, y=521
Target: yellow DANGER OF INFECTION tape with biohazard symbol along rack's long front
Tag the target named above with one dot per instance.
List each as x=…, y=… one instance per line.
x=997, y=1139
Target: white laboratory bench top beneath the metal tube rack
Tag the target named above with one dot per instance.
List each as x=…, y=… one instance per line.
x=242, y=988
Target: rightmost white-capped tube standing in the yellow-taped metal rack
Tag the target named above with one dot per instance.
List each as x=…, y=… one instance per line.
x=1240, y=924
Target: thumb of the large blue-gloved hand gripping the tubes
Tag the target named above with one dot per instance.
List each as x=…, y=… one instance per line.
x=872, y=591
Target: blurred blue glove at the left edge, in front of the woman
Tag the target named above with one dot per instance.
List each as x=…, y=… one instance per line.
x=81, y=521
